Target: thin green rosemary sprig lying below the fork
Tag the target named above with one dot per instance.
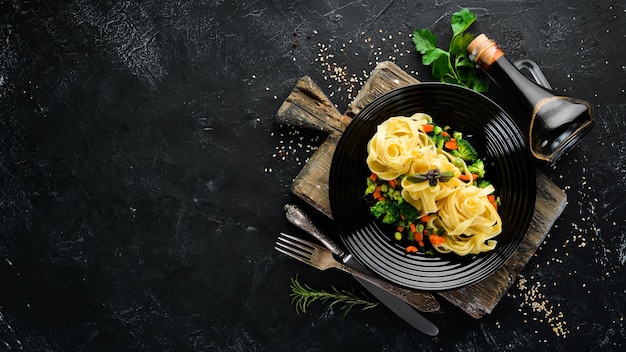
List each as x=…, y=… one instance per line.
x=302, y=296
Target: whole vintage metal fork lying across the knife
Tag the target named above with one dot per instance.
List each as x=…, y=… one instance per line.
x=322, y=258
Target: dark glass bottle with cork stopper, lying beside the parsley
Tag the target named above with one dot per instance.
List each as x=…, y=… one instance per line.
x=555, y=124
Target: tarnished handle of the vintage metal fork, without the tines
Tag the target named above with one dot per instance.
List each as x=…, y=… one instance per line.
x=419, y=300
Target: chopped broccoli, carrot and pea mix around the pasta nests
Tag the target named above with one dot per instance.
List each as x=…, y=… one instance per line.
x=411, y=228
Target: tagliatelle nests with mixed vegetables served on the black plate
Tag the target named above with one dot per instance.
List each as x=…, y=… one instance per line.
x=429, y=183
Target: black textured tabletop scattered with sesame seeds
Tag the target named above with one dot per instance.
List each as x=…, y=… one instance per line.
x=143, y=176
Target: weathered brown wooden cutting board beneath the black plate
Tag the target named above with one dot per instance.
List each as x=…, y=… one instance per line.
x=308, y=107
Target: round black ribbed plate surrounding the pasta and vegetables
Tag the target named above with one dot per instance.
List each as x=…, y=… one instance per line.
x=509, y=167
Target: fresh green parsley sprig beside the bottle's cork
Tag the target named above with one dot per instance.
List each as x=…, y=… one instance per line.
x=453, y=65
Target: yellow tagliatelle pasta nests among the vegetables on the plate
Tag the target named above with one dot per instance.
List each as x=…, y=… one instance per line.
x=437, y=183
